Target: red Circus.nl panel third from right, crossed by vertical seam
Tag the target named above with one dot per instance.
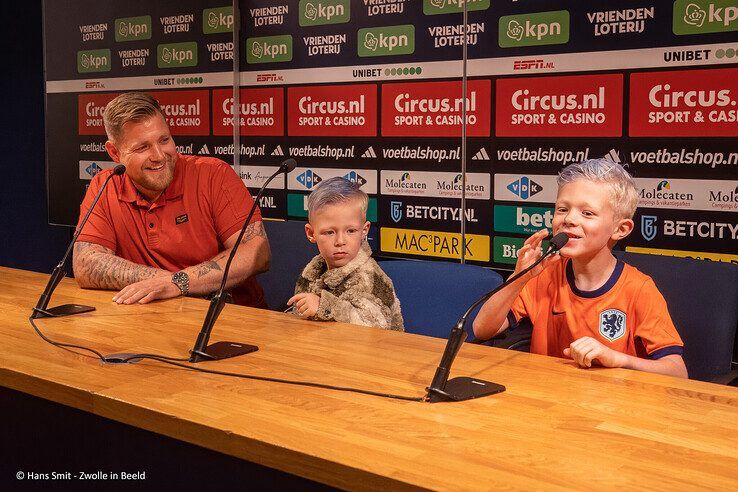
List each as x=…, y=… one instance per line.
x=434, y=109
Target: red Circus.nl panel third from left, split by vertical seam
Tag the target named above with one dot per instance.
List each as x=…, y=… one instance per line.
x=261, y=112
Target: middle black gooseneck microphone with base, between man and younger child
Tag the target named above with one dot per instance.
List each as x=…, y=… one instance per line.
x=224, y=350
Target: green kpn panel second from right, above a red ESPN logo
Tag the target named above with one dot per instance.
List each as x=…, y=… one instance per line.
x=536, y=29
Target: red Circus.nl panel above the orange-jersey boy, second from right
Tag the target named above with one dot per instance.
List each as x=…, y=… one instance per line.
x=568, y=106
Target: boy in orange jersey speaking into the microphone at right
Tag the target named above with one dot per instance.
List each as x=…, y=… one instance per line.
x=584, y=303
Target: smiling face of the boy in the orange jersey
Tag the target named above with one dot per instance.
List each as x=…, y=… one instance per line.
x=585, y=213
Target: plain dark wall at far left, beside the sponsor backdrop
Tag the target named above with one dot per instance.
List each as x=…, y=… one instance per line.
x=26, y=239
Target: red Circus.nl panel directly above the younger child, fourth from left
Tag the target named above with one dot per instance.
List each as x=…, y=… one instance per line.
x=332, y=110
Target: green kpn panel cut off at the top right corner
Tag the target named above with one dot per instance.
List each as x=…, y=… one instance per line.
x=704, y=16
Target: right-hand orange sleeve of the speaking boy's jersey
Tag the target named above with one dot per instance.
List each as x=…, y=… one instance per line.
x=654, y=326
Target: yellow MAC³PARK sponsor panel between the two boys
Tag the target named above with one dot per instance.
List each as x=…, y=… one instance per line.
x=434, y=243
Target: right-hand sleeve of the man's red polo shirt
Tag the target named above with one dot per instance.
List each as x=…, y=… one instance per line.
x=231, y=202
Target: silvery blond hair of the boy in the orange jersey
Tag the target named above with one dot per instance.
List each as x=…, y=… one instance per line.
x=623, y=190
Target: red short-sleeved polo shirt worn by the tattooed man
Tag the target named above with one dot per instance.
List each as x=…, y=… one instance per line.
x=204, y=205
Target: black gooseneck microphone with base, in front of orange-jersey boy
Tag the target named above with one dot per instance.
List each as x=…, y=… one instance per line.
x=465, y=388
